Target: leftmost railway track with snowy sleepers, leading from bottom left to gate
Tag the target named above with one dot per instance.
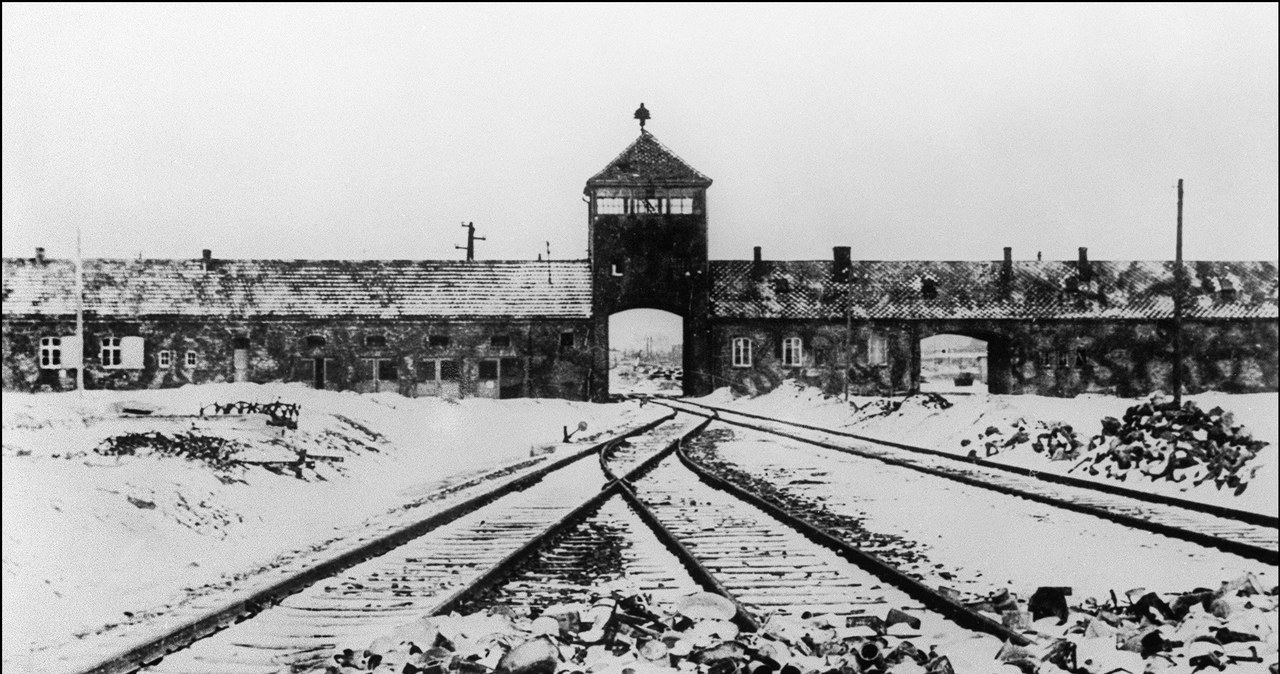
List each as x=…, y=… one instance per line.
x=305, y=612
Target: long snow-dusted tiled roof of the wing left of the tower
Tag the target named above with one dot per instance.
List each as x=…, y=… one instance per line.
x=303, y=288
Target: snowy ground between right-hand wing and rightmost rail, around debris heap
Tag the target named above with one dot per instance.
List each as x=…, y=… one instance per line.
x=926, y=425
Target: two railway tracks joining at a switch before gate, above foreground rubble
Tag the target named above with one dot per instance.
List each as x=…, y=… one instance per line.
x=636, y=510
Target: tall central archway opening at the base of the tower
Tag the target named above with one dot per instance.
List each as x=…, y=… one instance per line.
x=647, y=354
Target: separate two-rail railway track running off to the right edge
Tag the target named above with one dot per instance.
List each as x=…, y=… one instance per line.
x=1247, y=535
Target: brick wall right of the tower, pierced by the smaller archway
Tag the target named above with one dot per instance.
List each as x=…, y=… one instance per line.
x=1058, y=359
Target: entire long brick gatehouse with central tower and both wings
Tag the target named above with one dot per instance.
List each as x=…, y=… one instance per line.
x=541, y=329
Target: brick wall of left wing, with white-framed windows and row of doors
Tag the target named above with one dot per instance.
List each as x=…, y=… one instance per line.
x=534, y=364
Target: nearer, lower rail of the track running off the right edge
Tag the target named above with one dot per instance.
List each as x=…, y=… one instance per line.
x=1227, y=545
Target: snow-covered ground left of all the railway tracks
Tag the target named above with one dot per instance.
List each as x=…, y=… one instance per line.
x=95, y=540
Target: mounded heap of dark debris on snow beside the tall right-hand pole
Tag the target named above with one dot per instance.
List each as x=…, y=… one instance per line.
x=1164, y=442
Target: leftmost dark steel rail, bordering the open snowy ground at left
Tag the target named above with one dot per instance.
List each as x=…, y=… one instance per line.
x=243, y=609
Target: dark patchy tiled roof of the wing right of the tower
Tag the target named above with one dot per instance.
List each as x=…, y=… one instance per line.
x=1118, y=290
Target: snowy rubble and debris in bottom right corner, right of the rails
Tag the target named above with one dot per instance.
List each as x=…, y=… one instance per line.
x=1199, y=631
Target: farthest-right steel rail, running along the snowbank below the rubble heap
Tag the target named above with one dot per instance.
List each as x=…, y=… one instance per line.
x=1218, y=511
